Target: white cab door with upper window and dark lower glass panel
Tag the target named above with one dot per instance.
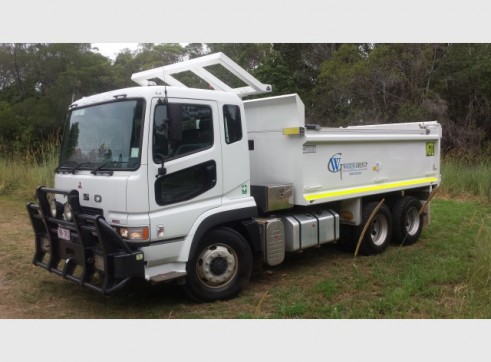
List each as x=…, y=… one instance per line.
x=185, y=145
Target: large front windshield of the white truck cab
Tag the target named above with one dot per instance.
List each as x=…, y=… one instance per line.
x=104, y=136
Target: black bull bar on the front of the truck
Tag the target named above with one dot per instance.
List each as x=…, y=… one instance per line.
x=95, y=256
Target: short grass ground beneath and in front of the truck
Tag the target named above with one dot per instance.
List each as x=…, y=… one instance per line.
x=445, y=275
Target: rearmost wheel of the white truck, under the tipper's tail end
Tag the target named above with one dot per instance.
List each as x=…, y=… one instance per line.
x=408, y=222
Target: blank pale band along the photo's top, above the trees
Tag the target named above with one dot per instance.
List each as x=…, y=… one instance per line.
x=187, y=21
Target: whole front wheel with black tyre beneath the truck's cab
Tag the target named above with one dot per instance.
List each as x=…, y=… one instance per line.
x=220, y=267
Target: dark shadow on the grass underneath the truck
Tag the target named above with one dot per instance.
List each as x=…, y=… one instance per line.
x=140, y=299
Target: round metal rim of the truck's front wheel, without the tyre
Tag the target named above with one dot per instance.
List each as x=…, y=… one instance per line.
x=217, y=265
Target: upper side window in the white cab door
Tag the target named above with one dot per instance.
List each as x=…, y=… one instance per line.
x=180, y=129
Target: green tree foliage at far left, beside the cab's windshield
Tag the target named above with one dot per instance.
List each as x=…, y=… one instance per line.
x=39, y=81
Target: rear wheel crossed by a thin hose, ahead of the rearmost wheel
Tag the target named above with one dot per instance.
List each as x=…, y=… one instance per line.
x=379, y=233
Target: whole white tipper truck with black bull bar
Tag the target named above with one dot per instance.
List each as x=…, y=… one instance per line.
x=166, y=182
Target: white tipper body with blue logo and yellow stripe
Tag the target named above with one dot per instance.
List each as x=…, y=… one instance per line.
x=332, y=164
